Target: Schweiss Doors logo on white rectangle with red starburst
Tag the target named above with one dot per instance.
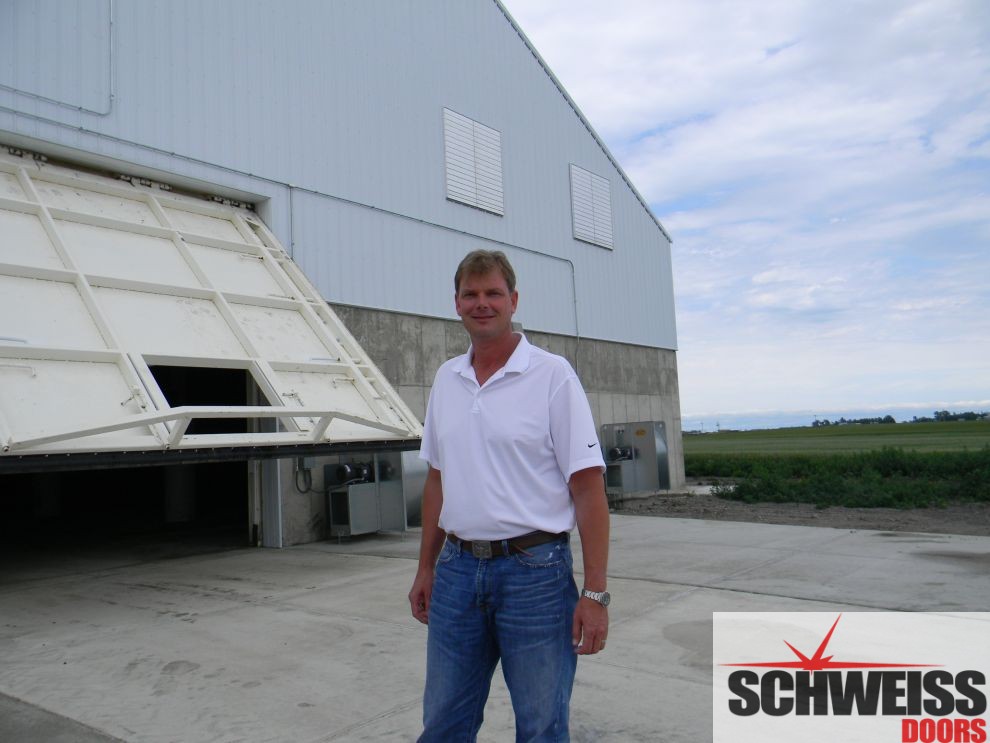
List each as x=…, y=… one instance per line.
x=891, y=676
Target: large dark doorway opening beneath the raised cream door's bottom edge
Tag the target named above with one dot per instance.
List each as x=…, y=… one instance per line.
x=55, y=521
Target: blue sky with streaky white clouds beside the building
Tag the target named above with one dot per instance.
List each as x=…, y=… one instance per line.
x=824, y=171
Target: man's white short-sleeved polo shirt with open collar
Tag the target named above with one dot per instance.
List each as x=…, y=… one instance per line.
x=506, y=450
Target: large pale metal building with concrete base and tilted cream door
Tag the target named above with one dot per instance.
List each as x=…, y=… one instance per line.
x=186, y=185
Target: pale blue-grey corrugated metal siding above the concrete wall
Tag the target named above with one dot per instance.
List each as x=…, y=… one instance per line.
x=343, y=100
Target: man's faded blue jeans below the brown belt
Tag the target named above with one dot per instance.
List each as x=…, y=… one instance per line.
x=519, y=609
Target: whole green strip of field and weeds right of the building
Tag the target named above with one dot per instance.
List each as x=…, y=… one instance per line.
x=894, y=466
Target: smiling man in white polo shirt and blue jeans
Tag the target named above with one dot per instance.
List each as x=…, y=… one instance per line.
x=514, y=463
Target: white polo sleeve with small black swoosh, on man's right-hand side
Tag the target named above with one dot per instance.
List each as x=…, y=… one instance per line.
x=572, y=428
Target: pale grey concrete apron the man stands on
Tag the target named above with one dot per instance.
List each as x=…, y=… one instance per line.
x=315, y=643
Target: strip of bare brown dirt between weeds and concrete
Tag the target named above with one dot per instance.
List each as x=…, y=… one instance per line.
x=960, y=518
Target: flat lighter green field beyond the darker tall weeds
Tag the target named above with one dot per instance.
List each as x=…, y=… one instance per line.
x=926, y=437
